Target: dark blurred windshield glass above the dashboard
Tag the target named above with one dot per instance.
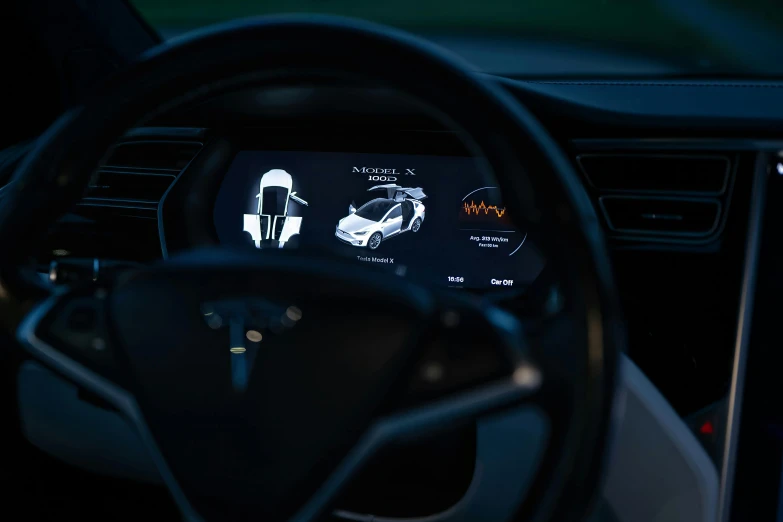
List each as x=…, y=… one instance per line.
x=530, y=38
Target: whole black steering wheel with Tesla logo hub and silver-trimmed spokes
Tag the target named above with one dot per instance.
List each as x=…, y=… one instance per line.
x=319, y=404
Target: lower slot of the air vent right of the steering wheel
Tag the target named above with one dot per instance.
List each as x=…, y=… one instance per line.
x=661, y=216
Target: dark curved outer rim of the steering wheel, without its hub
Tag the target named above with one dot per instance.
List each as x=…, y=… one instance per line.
x=55, y=173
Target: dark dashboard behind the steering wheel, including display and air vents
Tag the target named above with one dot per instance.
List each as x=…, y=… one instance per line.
x=255, y=173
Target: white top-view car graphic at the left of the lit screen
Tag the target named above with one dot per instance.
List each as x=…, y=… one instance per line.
x=272, y=224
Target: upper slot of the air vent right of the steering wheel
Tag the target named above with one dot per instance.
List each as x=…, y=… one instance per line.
x=657, y=173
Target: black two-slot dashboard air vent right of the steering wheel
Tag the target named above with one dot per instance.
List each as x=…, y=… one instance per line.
x=648, y=192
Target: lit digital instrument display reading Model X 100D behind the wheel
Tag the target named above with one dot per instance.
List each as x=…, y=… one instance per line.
x=424, y=217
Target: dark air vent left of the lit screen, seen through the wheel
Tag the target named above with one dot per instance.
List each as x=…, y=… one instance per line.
x=118, y=217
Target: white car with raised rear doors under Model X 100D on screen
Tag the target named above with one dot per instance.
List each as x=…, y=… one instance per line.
x=382, y=218
